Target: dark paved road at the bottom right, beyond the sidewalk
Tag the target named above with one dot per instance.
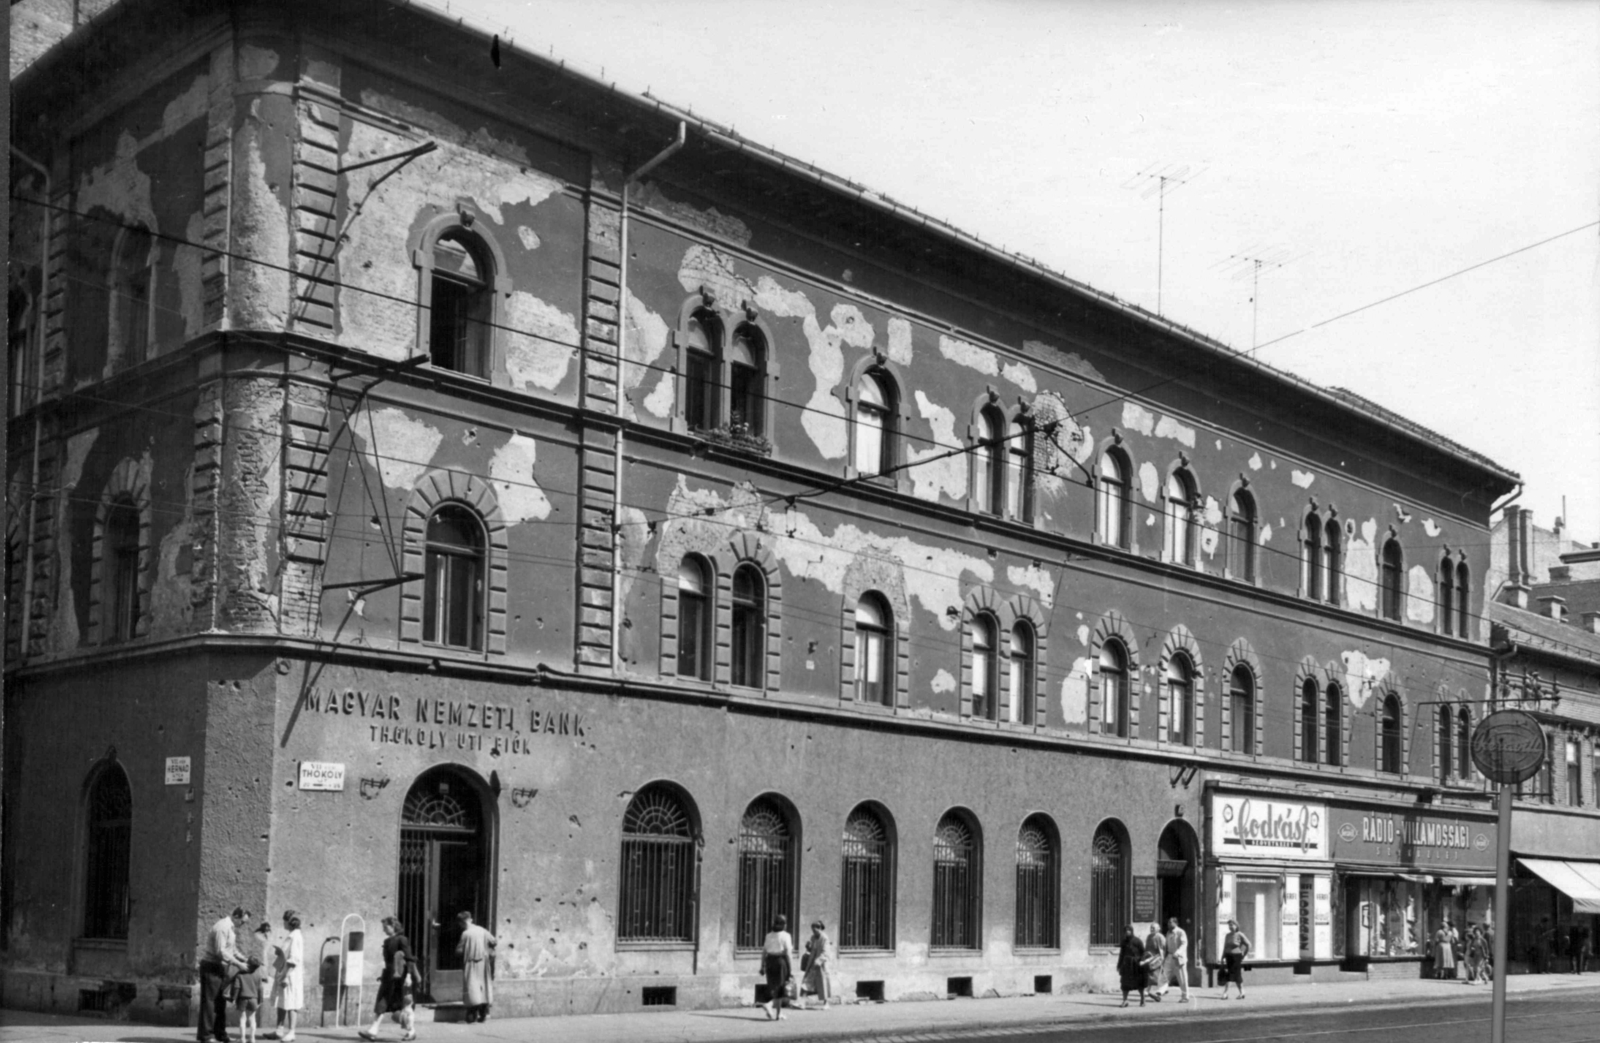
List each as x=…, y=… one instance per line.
x=1535, y=1020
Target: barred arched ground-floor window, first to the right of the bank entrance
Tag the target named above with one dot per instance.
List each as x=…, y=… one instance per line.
x=658, y=869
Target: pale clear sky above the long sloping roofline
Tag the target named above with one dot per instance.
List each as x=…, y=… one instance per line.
x=1359, y=150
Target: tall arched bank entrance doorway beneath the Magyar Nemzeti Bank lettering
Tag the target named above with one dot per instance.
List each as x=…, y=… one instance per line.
x=446, y=869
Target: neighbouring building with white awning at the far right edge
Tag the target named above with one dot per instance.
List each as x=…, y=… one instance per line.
x=1548, y=661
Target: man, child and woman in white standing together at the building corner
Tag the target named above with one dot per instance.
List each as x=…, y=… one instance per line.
x=228, y=977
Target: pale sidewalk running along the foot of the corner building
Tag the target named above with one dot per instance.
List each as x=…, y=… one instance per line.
x=855, y=1021
